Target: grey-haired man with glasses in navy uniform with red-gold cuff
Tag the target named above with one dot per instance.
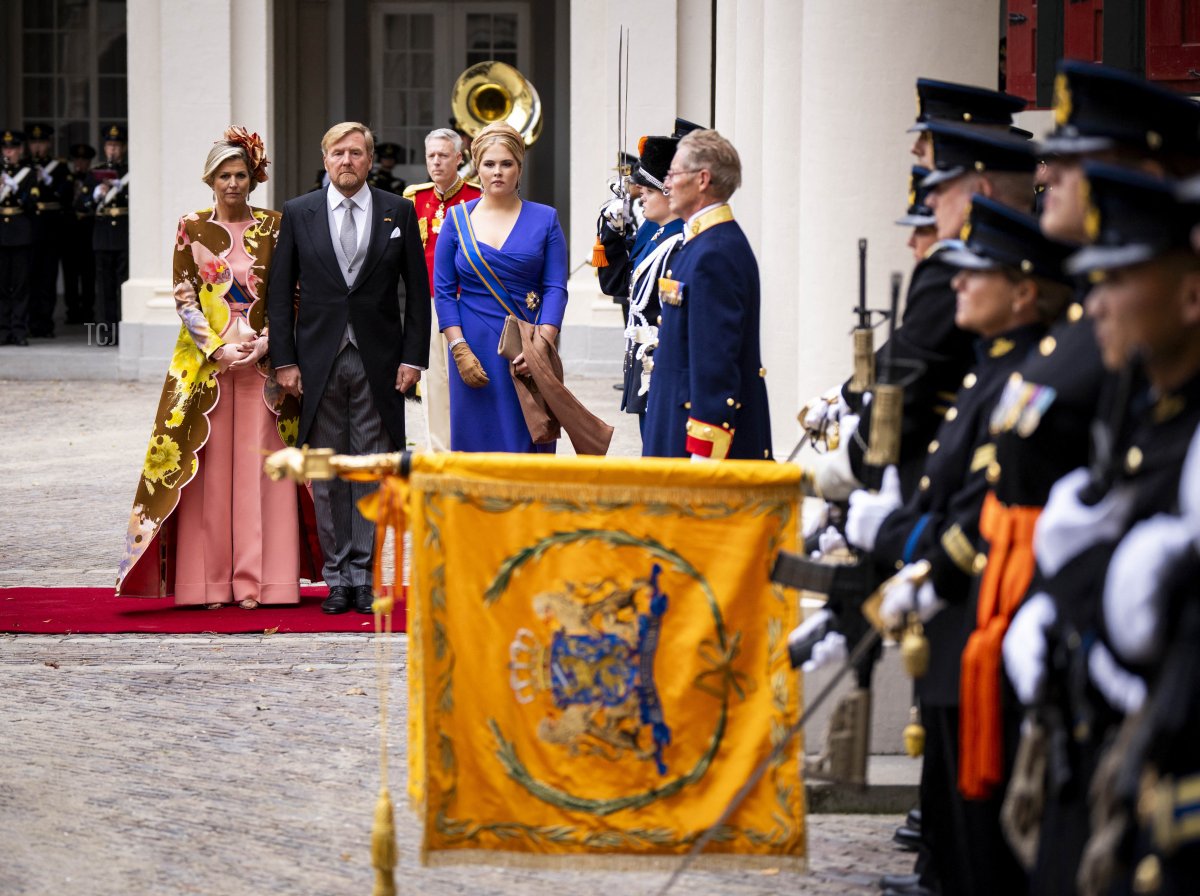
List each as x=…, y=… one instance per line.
x=709, y=393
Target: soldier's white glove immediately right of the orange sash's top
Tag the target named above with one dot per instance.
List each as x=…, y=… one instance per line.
x=1069, y=527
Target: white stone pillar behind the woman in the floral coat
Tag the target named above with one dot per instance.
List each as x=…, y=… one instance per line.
x=194, y=69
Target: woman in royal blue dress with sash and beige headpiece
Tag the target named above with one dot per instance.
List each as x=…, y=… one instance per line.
x=496, y=256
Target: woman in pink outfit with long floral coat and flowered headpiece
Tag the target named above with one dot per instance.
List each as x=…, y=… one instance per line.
x=208, y=526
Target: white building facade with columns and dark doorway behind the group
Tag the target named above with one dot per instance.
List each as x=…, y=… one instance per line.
x=815, y=94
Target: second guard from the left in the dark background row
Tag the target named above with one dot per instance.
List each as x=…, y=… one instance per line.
x=52, y=205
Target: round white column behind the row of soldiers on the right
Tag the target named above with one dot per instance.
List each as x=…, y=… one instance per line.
x=859, y=63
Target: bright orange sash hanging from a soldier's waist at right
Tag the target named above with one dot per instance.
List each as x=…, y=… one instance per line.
x=1007, y=578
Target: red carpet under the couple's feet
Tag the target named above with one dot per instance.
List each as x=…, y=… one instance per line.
x=95, y=611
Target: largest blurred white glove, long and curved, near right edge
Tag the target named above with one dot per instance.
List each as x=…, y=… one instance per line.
x=1132, y=597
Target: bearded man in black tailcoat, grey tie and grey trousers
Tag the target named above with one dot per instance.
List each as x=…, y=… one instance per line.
x=345, y=345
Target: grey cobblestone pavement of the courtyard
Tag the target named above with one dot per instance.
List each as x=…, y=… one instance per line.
x=229, y=765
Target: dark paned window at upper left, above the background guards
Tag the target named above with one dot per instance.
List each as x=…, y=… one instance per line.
x=74, y=68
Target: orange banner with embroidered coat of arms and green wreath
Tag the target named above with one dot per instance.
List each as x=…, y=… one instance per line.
x=598, y=660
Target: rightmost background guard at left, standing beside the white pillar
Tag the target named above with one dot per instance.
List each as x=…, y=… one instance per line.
x=110, y=200
